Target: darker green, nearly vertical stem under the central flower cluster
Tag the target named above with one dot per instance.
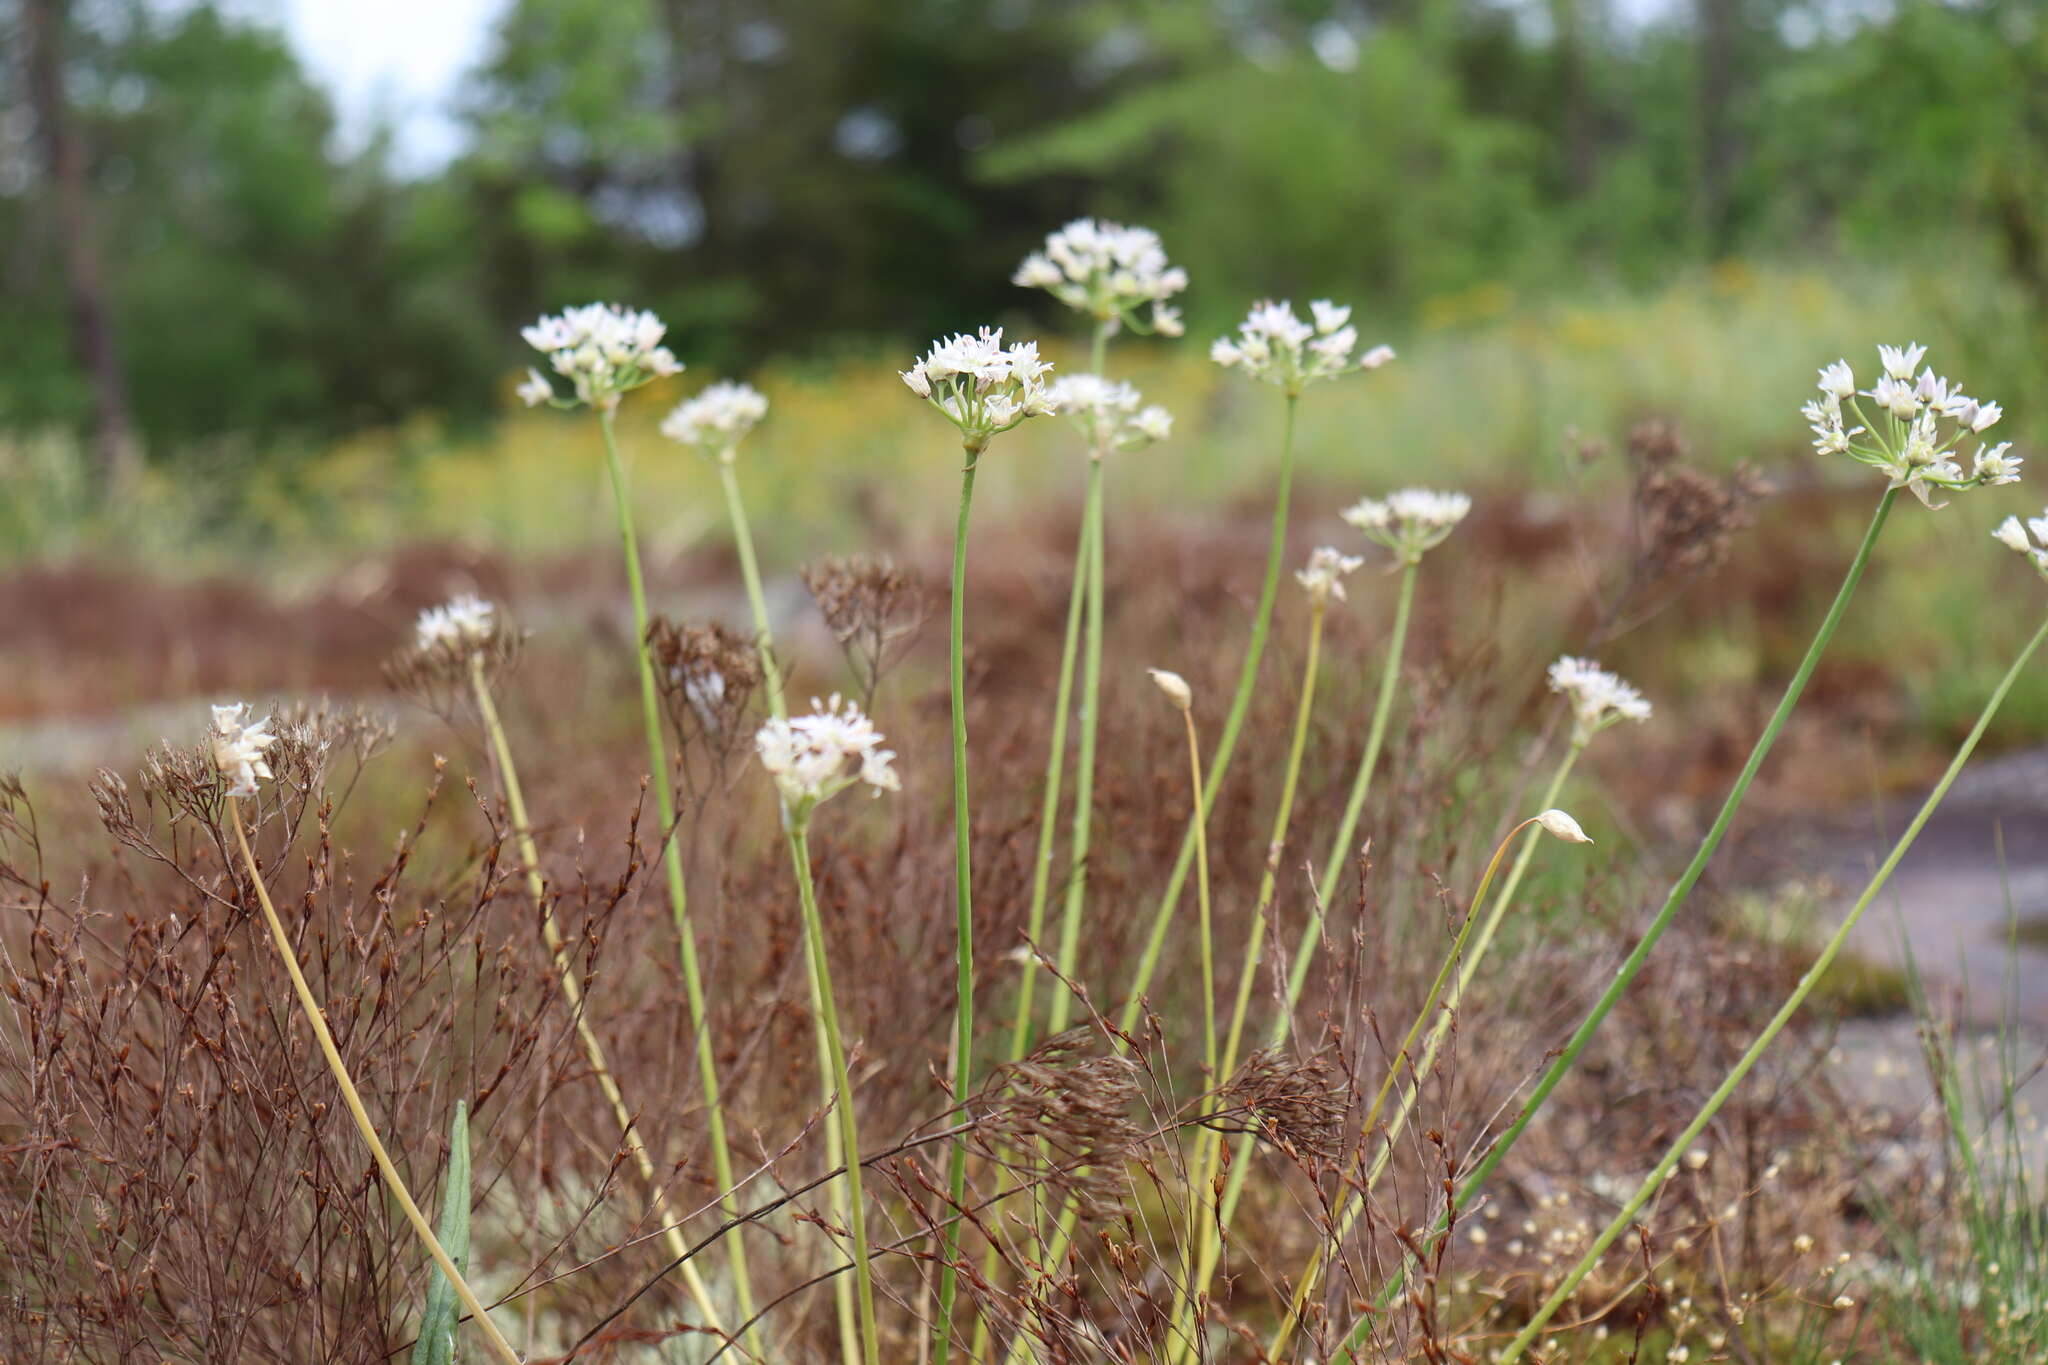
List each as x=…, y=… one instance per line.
x=964, y=895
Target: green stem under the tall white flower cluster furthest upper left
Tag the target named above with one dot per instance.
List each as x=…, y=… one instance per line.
x=679, y=897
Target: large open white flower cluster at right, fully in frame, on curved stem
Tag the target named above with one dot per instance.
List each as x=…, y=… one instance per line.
x=1922, y=423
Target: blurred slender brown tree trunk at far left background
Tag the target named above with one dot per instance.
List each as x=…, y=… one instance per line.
x=93, y=320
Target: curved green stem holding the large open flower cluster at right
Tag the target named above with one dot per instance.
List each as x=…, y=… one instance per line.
x=1680, y=891
